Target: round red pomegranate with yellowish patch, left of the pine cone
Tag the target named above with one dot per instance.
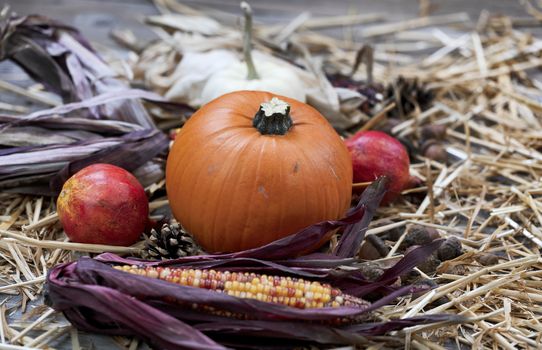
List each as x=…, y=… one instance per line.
x=103, y=204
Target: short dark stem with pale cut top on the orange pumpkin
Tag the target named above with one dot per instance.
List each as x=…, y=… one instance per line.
x=273, y=118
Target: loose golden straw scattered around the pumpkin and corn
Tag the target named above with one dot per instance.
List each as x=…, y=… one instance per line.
x=482, y=73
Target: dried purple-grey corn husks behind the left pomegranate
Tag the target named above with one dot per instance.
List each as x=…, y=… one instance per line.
x=102, y=119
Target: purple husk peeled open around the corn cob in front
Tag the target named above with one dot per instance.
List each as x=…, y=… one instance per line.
x=76, y=288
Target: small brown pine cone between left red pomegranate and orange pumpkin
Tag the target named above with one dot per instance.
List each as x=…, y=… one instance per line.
x=171, y=242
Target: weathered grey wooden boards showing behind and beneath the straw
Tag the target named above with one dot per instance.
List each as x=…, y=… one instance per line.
x=97, y=18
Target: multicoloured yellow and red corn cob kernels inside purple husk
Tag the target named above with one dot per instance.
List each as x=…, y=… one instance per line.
x=287, y=291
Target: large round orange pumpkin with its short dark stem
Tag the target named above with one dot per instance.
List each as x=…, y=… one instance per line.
x=251, y=167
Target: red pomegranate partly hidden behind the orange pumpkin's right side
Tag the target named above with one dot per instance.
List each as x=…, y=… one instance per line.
x=376, y=154
